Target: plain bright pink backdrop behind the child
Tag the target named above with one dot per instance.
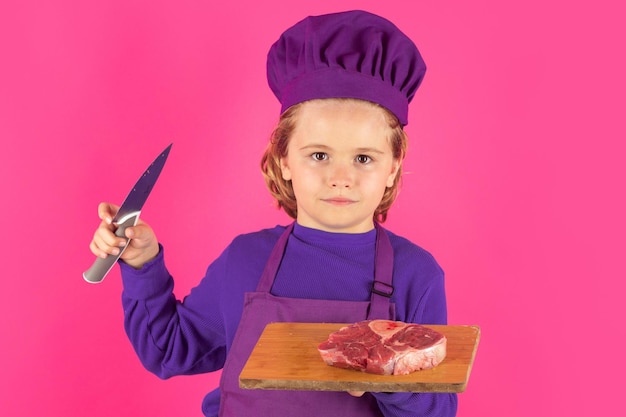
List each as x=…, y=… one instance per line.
x=515, y=182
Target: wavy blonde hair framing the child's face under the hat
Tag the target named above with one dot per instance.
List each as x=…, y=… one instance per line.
x=282, y=190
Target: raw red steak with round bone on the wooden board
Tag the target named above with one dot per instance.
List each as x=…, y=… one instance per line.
x=384, y=347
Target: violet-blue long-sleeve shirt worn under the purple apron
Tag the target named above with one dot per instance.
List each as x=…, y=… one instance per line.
x=194, y=336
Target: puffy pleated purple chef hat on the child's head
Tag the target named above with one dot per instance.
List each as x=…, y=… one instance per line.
x=352, y=54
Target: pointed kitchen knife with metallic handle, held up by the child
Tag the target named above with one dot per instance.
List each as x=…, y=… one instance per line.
x=128, y=215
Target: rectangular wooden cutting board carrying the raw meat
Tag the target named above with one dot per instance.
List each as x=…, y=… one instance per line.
x=286, y=358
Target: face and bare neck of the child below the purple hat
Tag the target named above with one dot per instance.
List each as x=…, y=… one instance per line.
x=339, y=162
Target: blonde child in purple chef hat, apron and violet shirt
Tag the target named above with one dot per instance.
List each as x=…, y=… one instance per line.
x=344, y=81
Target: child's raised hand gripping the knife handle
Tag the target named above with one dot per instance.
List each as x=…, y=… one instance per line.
x=142, y=247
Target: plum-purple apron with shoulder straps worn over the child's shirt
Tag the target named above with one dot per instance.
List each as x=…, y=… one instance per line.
x=261, y=308
